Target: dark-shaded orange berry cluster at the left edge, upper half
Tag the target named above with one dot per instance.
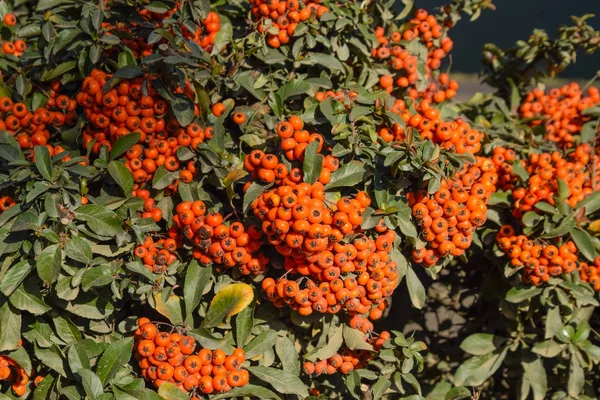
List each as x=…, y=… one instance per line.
x=31, y=128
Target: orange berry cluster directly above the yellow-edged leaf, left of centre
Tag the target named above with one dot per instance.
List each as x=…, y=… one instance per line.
x=217, y=242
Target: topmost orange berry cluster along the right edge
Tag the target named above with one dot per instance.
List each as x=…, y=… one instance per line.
x=560, y=111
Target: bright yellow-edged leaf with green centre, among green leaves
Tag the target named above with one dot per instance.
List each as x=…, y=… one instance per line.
x=229, y=301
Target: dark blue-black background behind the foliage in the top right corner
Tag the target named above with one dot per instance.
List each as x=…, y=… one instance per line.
x=514, y=20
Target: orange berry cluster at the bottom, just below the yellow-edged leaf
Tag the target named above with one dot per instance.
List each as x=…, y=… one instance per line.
x=170, y=357
